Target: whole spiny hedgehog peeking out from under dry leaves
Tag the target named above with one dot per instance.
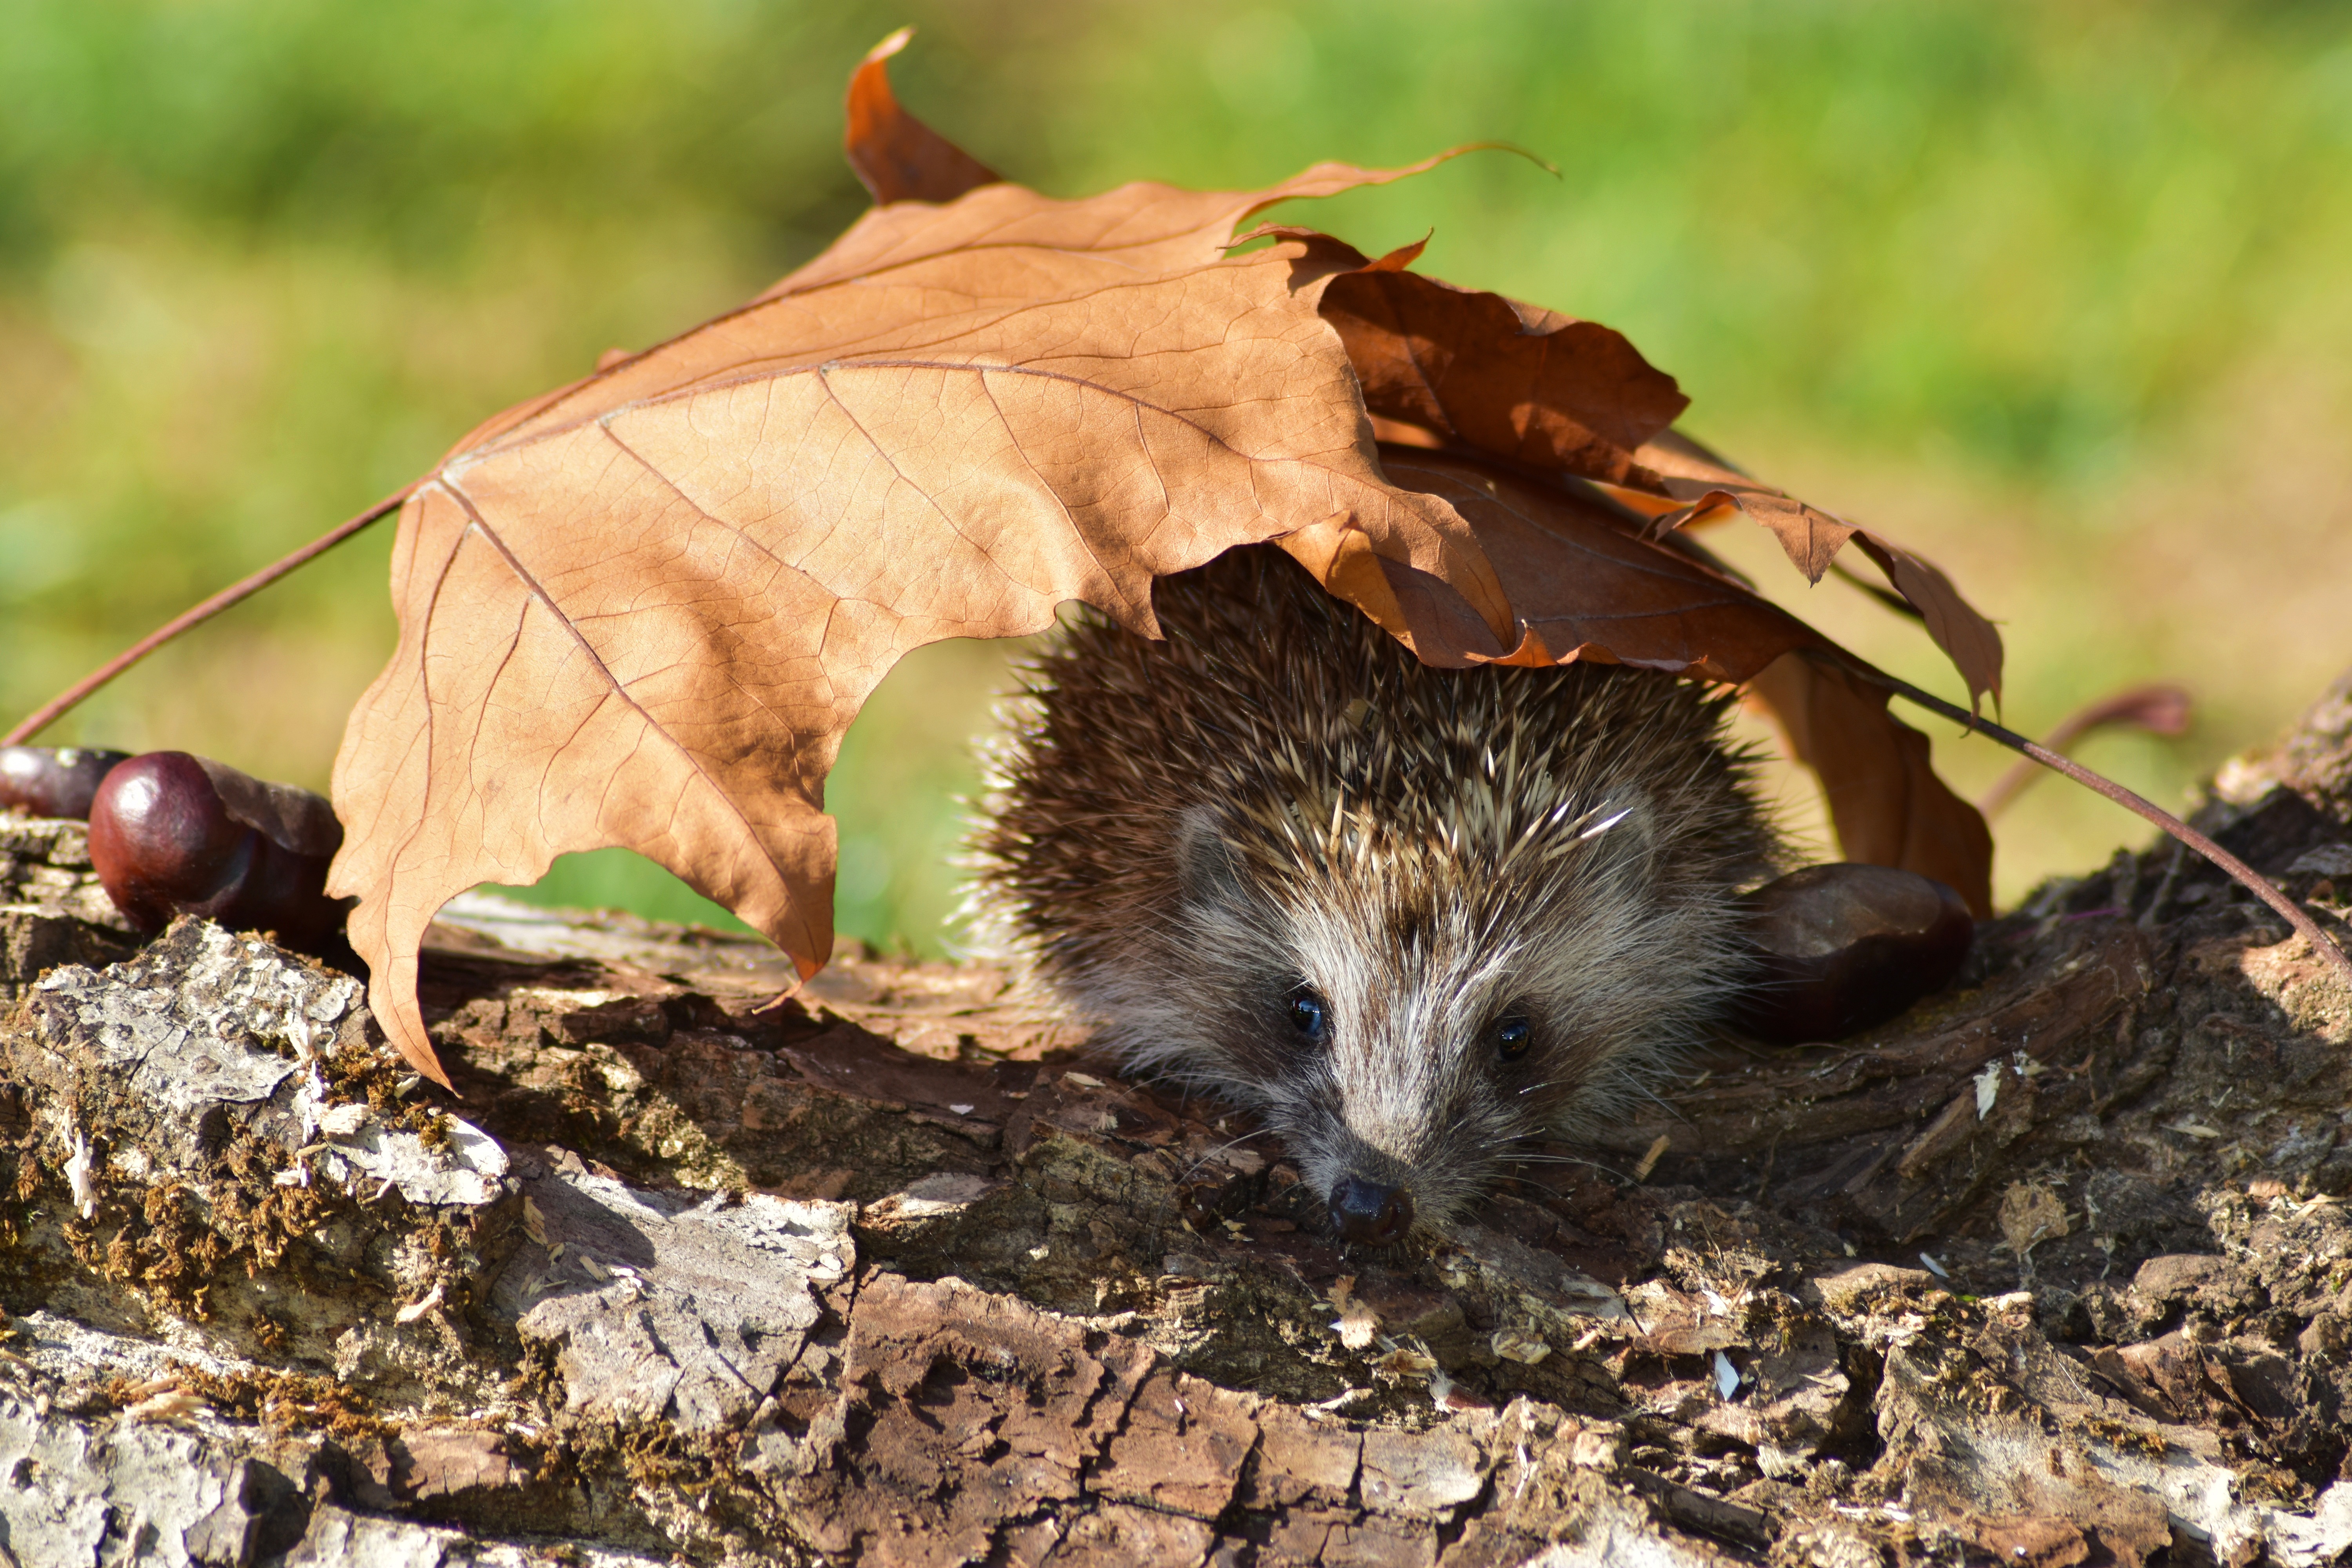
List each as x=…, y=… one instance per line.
x=1410, y=918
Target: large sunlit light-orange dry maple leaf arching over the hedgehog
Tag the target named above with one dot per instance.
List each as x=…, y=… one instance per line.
x=648, y=610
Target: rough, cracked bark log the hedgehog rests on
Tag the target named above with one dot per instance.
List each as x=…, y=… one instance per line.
x=2052, y=1271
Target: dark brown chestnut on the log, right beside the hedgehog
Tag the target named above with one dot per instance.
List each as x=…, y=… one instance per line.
x=1847, y=946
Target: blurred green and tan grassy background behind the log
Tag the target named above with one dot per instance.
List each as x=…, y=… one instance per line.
x=2052, y=293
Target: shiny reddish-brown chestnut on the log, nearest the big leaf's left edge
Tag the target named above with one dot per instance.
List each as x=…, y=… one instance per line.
x=187, y=836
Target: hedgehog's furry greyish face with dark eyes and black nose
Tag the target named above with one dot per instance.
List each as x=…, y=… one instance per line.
x=1408, y=1010
